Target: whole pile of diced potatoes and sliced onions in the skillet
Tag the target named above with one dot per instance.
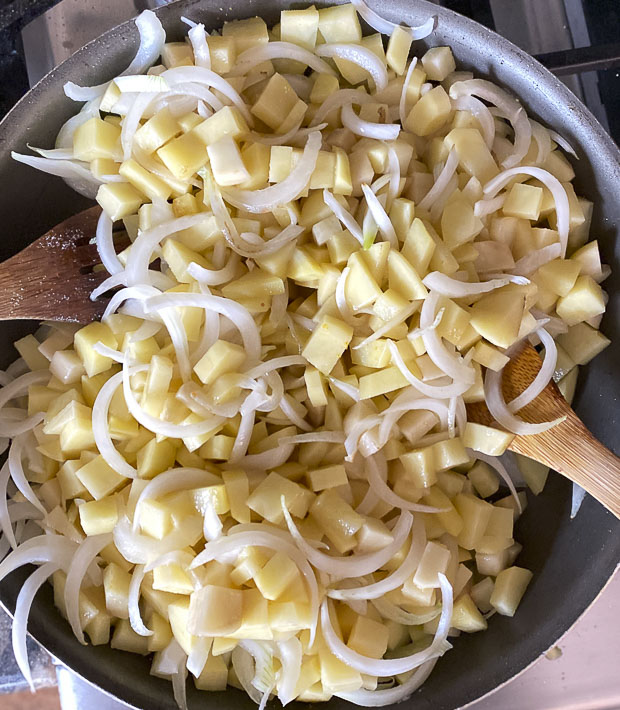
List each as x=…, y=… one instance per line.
x=258, y=466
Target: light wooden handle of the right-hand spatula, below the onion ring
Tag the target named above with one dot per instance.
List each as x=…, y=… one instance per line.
x=570, y=449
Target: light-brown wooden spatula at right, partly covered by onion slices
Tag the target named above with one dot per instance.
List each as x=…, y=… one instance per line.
x=569, y=447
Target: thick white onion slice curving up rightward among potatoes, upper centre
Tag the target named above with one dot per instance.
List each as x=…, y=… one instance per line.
x=268, y=198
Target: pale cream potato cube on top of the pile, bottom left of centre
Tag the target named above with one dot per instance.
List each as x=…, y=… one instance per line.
x=215, y=611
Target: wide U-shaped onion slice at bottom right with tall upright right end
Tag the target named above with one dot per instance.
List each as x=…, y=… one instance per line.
x=386, y=667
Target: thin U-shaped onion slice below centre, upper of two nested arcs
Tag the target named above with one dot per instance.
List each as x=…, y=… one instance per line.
x=355, y=565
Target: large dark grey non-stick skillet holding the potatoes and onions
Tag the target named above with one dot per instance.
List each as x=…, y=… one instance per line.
x=571, y=560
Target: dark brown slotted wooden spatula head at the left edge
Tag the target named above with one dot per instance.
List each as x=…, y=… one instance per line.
x=53, y=277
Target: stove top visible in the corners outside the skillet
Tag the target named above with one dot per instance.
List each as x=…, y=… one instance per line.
x=579, y=40
